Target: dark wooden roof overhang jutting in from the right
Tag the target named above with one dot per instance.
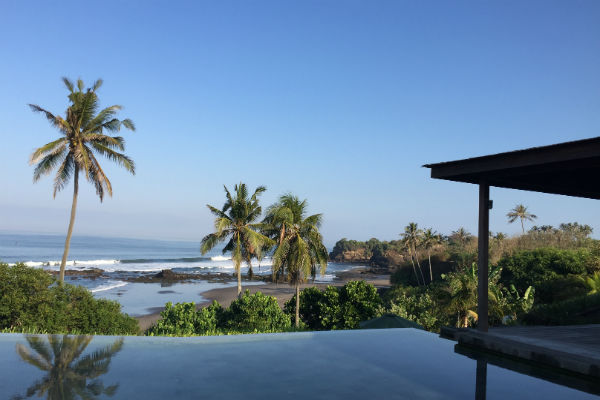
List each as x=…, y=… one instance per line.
x=570, y=168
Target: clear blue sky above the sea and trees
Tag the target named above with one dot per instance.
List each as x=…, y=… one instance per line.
x=339, y=102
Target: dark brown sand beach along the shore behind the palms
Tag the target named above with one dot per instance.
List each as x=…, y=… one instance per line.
x=283, y=292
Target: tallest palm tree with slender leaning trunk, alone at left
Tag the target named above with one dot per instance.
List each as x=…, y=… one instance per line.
x=83, y=138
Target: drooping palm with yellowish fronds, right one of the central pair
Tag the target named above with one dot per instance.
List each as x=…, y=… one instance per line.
x=299, y=243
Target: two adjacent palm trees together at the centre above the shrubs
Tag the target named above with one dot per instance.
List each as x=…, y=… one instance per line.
x=286, y=231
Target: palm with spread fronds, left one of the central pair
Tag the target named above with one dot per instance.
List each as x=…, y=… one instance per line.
x=236, y=221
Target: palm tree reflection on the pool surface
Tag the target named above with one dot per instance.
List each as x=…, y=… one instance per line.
x=67, y=374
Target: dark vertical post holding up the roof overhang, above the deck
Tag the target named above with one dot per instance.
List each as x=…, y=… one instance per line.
x=483, y=256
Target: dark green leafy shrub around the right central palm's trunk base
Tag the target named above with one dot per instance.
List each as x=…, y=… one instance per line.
x=336, y=307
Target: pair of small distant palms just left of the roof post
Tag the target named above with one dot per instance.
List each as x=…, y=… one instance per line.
x=415, y=239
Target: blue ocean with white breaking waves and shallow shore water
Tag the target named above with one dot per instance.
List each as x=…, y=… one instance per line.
x=121, y=259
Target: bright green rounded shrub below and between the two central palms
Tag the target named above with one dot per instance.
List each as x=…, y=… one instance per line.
x=255, y=313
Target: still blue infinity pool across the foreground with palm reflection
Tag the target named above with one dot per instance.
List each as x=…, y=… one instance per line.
x=362, y=364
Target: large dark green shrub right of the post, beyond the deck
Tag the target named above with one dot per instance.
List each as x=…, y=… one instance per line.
x=538, y=268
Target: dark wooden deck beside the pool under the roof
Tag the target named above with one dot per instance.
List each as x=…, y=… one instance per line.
x=572, y=348
